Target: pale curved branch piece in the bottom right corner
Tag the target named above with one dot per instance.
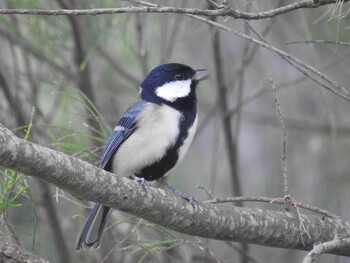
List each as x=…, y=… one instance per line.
x=326, y=247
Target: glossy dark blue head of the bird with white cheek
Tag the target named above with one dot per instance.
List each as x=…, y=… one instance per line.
x=173, y=84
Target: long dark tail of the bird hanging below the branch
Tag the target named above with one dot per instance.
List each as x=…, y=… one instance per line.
x=92, y=231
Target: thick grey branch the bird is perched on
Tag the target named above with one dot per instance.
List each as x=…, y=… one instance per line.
x=251, y=225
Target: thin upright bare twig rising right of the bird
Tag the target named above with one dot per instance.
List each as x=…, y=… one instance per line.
x=284, y=143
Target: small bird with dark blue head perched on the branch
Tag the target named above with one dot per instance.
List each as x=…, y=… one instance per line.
x=151, y=137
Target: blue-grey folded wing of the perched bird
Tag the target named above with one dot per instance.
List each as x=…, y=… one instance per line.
x=128, y=122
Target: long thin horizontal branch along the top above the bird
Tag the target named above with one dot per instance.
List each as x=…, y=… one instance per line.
x=224, y=11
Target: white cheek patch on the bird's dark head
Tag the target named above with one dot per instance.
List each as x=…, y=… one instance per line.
x=174, y=90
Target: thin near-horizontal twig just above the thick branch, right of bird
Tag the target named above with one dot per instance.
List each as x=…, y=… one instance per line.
x=269, y=200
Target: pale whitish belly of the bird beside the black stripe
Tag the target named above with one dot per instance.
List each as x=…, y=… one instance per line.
x=157, y=129
